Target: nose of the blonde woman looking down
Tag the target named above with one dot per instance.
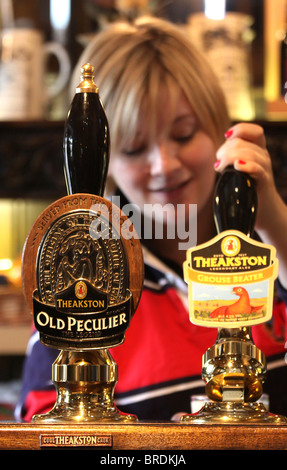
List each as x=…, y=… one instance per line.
x=163, y=159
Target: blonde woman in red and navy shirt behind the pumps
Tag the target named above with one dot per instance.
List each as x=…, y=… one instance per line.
x=170, y=137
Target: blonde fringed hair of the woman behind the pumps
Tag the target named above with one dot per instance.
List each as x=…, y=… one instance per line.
x=133, y=62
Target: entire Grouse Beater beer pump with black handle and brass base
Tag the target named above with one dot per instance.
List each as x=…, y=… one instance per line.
x=234, y=369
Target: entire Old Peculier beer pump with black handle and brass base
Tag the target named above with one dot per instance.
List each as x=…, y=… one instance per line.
x=88, y=276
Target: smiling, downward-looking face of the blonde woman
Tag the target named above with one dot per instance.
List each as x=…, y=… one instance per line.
x=175, y=169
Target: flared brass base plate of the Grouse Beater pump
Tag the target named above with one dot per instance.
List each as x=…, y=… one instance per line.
x=234, y=413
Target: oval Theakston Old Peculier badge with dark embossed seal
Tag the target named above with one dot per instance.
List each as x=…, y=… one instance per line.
x=85, y=291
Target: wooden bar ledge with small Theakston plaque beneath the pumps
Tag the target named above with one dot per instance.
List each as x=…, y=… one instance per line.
x=143, y=436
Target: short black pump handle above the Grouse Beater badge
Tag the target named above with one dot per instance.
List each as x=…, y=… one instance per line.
x=235, y=202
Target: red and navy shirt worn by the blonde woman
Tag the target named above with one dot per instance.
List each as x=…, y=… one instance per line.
x=160, y=361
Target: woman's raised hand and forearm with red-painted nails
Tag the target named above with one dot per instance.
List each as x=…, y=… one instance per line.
x=245, y=149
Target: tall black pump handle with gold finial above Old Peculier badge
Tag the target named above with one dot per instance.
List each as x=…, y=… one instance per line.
x=86, y=139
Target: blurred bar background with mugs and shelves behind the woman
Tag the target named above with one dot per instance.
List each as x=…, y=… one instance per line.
x=41, y=40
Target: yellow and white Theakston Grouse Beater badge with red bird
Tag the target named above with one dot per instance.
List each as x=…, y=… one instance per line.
x=230, y=281
